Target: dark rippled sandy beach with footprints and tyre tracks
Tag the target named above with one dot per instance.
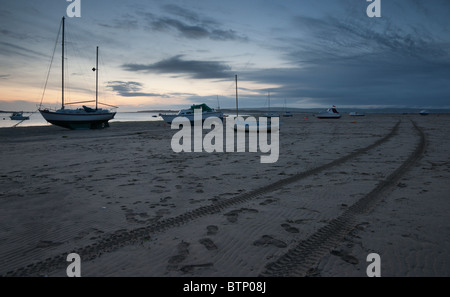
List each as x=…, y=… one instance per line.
x=130, y=206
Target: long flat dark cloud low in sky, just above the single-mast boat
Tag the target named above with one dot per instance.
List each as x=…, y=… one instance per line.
x=192, y=68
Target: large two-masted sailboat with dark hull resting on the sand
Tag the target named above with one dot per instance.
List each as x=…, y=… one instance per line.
x=80, y=118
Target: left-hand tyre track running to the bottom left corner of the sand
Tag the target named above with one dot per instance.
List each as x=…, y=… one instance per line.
x=123, y=238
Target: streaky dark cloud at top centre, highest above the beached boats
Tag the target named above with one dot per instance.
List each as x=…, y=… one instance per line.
x=189, y=24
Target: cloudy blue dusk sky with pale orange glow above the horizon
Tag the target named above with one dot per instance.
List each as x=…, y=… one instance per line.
x=171, y=54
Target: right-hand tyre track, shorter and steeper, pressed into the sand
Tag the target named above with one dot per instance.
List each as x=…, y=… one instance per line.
x=306, y=255
